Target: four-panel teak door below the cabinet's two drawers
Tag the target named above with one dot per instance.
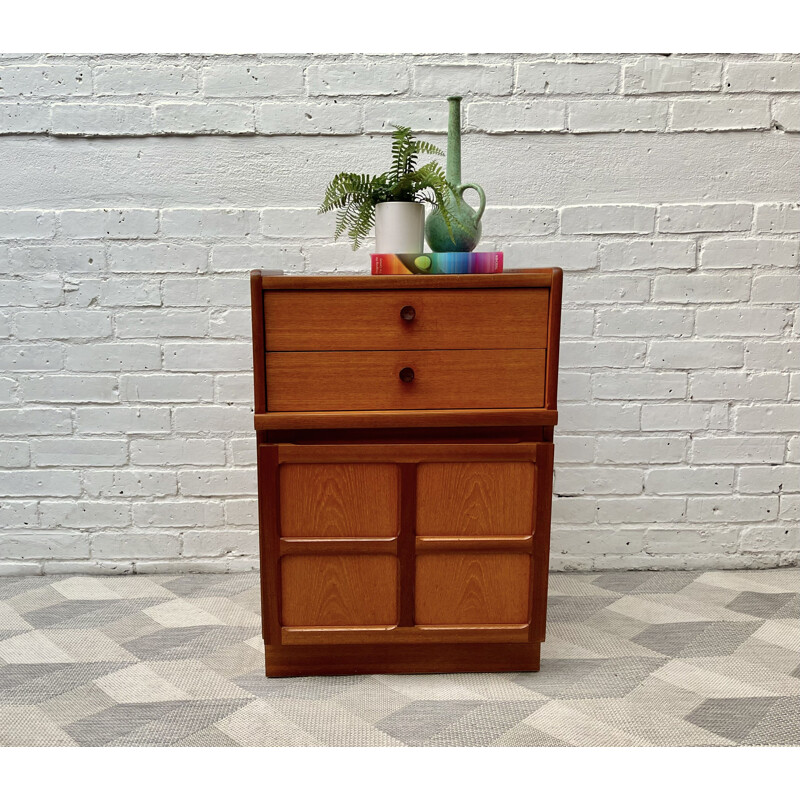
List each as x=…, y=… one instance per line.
x=405, y=542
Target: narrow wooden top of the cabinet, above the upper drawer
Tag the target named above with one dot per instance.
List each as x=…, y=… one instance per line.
x=509, y=279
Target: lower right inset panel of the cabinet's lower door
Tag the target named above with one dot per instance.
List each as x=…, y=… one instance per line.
x=472, y=588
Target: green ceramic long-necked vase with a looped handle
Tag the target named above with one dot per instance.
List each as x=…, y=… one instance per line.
x=467, y=230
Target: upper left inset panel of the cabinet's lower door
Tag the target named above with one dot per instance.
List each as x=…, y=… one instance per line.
x=339, y=500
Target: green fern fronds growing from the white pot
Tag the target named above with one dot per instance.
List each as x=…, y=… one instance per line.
x=354, y=196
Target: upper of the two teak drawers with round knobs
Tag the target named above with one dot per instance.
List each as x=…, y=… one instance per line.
x=422, y=319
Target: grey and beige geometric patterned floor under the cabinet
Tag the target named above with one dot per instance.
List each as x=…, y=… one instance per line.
x=631, y=659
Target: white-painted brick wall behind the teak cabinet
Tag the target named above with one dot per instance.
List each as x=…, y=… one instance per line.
x=139, y=190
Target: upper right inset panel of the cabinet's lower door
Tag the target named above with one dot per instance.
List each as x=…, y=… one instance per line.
x=475, y=499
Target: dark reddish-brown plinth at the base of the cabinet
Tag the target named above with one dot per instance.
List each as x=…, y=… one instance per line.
x=283, y=661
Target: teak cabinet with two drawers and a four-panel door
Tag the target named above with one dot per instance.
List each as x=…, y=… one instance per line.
x=405, y=460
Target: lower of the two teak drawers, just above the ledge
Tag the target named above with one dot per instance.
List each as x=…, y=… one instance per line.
x=364, y=380
